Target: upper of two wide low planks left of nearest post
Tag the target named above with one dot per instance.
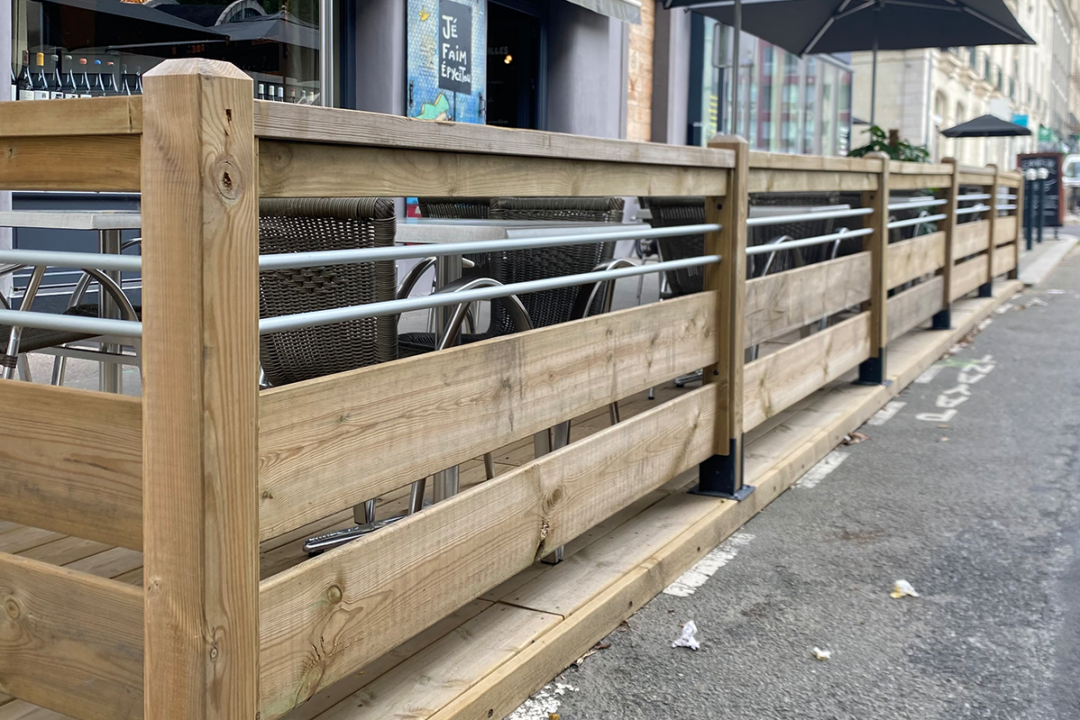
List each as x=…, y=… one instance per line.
x=73, y=463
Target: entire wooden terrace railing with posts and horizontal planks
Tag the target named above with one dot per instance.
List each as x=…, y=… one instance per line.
x=204, y=468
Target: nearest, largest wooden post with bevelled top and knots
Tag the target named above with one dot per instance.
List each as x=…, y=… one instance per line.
x=200, y=364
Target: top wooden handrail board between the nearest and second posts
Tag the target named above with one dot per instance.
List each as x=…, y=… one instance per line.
x=285, y=121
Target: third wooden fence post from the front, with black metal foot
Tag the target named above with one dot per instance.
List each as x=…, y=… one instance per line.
x=873, y=371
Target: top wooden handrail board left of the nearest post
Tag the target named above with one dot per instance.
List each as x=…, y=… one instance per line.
x=85, y=116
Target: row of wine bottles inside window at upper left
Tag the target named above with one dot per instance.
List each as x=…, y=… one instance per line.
x=59, y=75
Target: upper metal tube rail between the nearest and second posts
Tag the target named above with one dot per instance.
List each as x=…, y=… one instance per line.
x=295, y=261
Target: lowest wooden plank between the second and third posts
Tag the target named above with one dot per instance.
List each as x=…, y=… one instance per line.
x=778, y=382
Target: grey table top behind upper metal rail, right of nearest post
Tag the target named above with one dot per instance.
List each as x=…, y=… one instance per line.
x=436, y=230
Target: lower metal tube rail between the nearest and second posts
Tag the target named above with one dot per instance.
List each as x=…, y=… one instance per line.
x=283, y=323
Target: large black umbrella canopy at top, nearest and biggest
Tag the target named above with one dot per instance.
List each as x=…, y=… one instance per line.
x=842, y=26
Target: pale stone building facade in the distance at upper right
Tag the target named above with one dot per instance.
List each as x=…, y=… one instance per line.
x=922, y=92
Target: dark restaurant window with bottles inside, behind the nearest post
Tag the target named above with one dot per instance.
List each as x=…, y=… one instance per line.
x=94, y=48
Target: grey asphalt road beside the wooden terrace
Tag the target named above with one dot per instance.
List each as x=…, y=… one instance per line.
x=985, y=525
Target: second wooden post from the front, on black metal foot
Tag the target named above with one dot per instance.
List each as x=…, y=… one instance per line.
x=722, y=476
